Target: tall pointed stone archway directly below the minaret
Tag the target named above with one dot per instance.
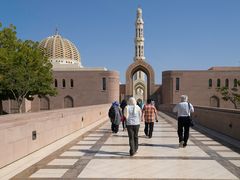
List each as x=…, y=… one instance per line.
x=145, y=89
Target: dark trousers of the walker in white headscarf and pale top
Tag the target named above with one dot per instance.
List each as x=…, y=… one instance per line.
x=133, y=138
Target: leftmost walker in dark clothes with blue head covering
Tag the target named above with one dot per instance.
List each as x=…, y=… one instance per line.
x=115, y=115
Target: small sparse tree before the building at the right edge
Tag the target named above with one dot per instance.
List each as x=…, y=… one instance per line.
x=231, y=95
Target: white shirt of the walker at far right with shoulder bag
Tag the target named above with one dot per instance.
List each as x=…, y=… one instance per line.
x=182, y=109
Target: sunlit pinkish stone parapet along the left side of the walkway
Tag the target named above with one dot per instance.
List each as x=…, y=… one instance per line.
x=22, y=134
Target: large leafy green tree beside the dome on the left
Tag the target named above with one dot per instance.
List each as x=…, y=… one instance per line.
x=24, y=70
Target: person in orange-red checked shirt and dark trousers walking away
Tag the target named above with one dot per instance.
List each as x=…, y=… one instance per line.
x=149, y=115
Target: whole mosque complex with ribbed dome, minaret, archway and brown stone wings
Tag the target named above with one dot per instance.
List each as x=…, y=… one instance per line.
x=83, y=86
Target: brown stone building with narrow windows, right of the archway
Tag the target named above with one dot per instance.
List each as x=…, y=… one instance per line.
x=200, y=86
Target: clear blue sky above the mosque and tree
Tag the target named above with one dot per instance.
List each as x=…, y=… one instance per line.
x=179, y=34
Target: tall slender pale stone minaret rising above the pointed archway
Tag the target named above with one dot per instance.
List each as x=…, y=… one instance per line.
x=139, y=39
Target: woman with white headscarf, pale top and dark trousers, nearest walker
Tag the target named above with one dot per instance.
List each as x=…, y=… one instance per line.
x=133, y=114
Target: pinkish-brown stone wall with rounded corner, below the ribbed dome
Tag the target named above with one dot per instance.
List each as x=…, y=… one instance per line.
x=87, y=89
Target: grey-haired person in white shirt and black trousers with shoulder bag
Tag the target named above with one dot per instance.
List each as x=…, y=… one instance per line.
x=183, y=110
